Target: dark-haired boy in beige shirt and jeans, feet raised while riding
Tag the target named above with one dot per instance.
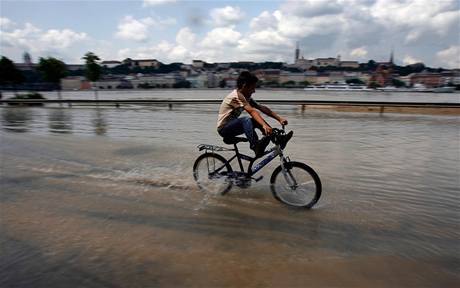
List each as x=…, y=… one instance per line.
x=229, y=124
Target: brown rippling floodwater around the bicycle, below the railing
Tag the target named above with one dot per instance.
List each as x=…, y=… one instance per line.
x=104, y=197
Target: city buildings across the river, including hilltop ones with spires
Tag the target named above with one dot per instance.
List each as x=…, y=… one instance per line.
x=200, y=74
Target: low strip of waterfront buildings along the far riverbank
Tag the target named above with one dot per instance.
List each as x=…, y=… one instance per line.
x=269, y=77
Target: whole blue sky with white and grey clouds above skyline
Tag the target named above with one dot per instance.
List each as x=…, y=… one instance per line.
x=220, y=31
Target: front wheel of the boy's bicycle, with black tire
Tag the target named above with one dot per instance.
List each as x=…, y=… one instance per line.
x=298, y=185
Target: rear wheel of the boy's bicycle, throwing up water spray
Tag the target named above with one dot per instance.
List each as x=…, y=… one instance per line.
x=212, y=173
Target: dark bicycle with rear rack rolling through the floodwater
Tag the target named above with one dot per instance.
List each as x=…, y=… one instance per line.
x=292, y=183
